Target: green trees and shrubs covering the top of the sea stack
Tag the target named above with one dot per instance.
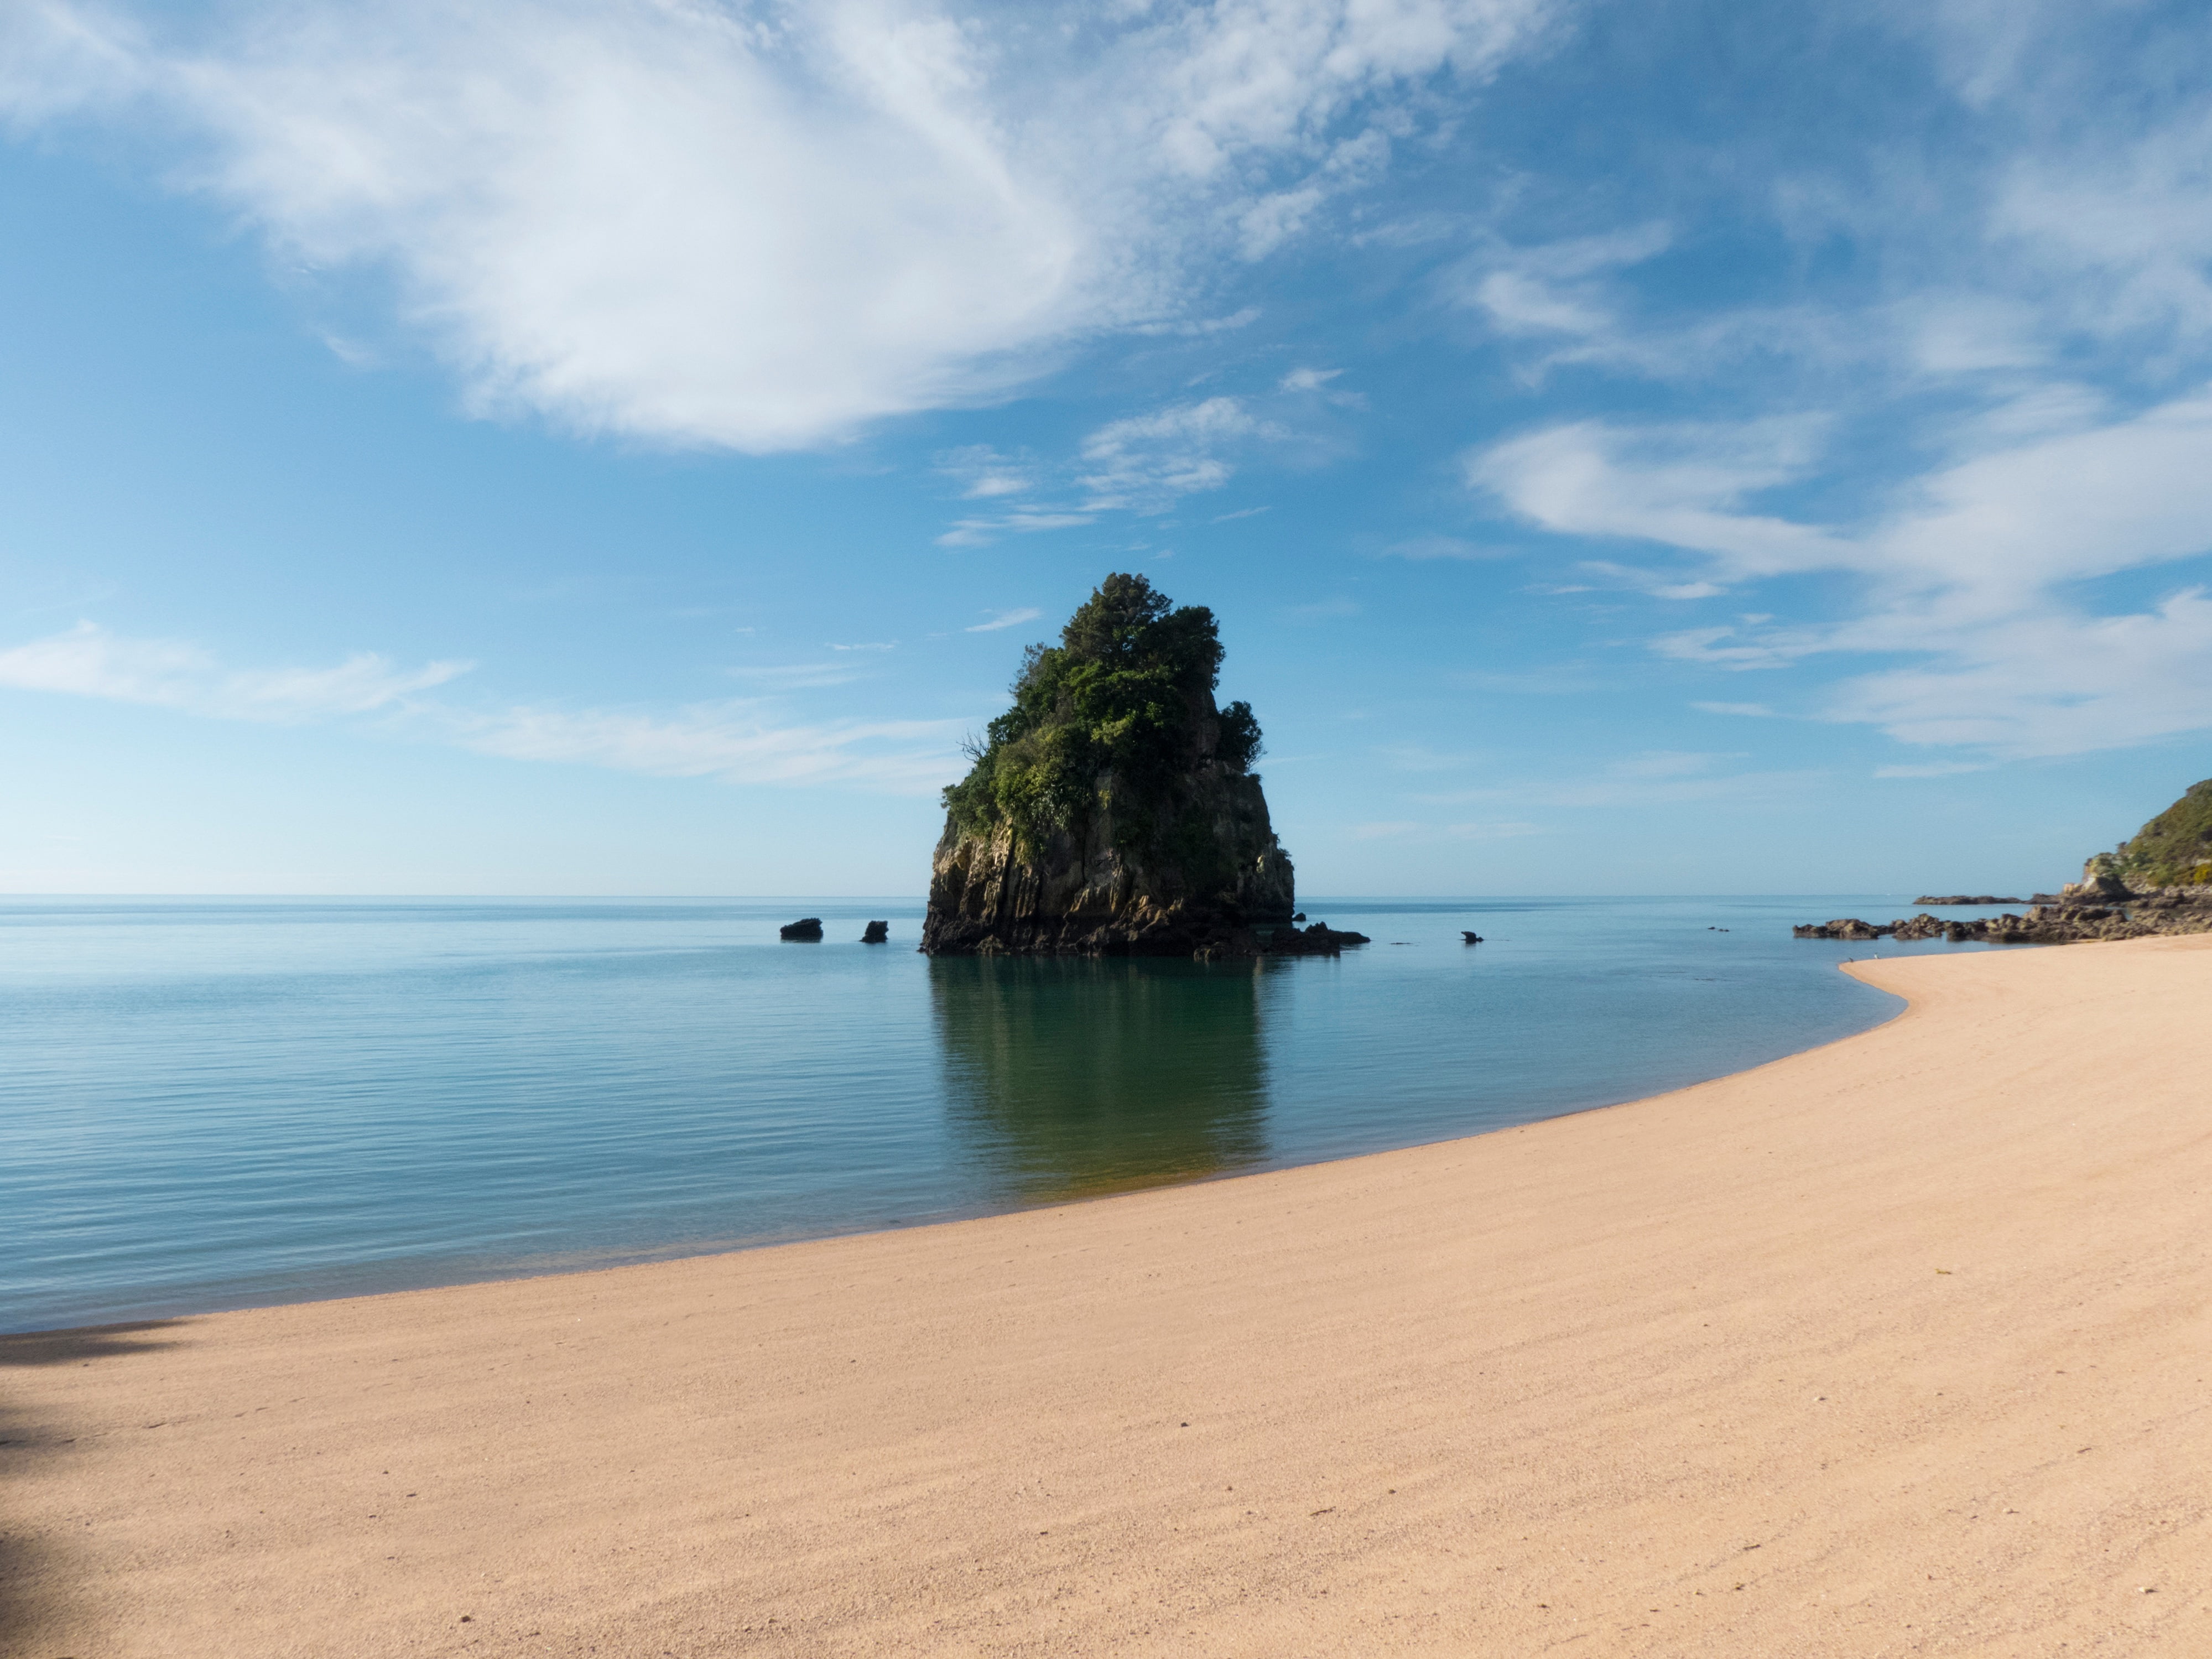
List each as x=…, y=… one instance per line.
x=1109, y=718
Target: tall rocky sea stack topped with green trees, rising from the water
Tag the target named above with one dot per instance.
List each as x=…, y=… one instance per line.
x=1114, y=808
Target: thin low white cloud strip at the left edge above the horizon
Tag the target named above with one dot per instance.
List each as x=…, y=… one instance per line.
x=94, y=662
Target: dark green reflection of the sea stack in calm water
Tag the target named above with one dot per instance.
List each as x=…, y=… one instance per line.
x=1076, y=1076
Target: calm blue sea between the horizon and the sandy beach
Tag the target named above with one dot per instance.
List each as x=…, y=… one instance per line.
x=233, y=1103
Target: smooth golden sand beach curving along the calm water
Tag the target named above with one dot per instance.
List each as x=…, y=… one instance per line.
x=1890, y=1348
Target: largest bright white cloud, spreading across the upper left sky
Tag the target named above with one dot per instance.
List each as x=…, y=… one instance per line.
x=762, y=229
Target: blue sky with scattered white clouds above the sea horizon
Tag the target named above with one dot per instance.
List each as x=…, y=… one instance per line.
x=625, y=446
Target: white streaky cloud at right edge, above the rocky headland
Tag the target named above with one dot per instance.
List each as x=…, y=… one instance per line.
x=1970, y=570
